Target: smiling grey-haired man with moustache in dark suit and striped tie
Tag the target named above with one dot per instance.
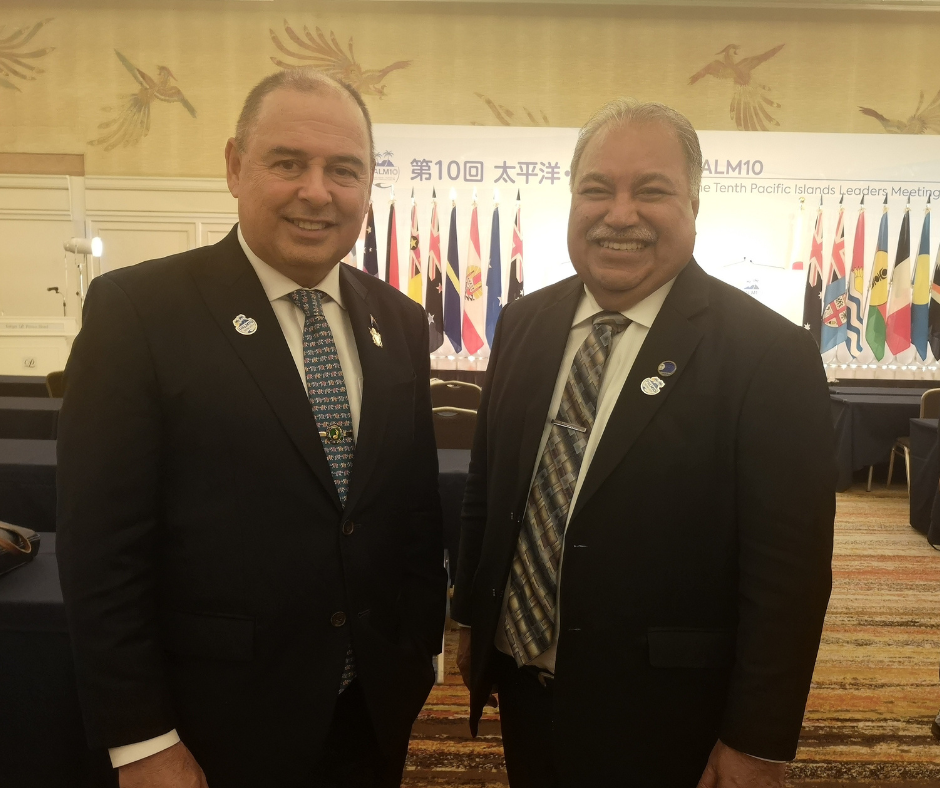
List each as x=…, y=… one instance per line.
x=647, y=527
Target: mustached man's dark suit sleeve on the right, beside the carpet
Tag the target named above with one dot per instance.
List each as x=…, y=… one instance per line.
x=785, y=482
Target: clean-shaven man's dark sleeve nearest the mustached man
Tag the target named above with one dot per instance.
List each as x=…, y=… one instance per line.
x=427, y=585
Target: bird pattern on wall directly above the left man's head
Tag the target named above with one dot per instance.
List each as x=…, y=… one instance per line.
x=330, y=58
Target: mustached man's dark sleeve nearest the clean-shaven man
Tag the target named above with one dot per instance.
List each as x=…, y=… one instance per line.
x=473, y=512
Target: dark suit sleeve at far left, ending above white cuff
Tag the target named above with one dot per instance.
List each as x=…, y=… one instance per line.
x=108, y=522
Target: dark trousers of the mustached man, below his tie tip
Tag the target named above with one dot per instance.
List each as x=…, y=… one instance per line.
x=525, y=715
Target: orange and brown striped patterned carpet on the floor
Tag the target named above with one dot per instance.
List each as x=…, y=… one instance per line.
x=875, y=689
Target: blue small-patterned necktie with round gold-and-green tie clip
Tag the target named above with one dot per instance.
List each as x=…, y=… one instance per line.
x=326, y=390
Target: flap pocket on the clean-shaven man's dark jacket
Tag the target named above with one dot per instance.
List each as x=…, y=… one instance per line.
x=208, y=635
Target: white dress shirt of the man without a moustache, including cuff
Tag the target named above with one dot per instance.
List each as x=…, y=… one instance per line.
x=290, y=317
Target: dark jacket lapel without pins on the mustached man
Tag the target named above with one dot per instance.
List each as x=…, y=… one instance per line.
x=546, y=337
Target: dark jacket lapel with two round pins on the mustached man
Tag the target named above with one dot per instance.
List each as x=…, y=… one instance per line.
x=672, y=337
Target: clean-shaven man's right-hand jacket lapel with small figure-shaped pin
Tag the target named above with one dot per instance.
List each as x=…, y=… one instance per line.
x=383, y=368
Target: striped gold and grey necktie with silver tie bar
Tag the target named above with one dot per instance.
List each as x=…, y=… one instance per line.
x=533, y=583
